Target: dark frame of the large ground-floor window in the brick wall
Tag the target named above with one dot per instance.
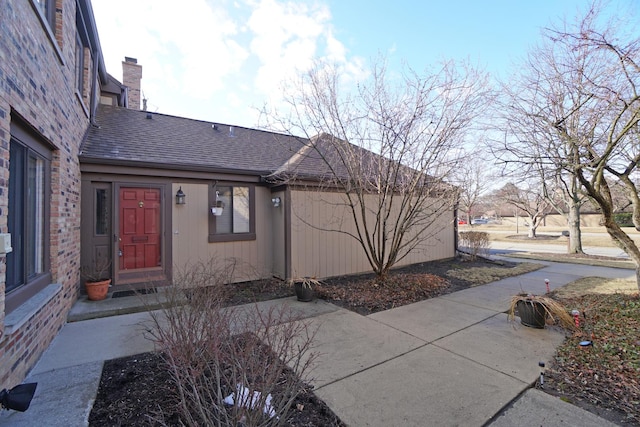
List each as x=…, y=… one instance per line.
x=34, y=147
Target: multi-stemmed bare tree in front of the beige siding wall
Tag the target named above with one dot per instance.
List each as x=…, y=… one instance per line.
x=387, y=148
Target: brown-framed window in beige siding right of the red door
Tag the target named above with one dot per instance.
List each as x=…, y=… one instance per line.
x=237, y=220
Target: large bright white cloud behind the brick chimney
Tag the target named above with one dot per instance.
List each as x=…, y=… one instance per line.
x=217, y=59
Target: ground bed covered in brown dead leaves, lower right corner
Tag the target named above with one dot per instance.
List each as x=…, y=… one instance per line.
x=607, y=373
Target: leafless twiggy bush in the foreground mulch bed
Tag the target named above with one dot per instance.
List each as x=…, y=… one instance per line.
x=256, y=358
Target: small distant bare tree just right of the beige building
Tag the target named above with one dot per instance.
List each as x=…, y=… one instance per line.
x=528, y=198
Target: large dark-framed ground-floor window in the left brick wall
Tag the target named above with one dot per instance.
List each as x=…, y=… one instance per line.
x=28, y=216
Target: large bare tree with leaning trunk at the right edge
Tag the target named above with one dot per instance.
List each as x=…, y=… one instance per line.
x=579, y=114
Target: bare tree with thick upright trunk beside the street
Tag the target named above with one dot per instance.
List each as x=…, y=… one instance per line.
x=534, y=112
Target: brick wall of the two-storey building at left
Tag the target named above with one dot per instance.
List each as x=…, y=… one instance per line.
x=37, y=81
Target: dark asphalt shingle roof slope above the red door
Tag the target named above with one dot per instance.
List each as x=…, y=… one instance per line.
x=125, y=135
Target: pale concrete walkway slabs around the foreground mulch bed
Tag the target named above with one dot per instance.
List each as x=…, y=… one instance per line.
x=447, y=361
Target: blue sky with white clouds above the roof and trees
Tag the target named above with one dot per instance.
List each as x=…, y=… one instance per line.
x=223, y=60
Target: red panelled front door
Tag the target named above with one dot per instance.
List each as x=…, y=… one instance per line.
x=139, y=240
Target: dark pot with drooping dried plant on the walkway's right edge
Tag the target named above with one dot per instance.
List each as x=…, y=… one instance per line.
x=534, y=310
